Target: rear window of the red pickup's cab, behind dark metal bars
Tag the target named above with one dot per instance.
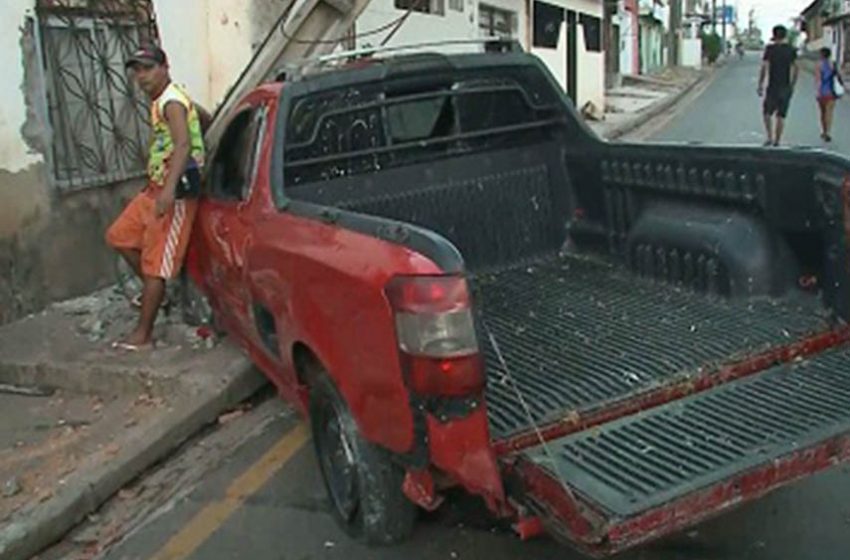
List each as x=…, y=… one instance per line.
x=375, y=126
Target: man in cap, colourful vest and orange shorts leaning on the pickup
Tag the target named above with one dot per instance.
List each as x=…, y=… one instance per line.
x=152, y=233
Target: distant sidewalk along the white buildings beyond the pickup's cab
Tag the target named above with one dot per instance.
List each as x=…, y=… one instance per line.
x=642, y=98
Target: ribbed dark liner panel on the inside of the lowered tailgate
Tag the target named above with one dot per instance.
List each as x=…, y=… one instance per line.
x=649, y=459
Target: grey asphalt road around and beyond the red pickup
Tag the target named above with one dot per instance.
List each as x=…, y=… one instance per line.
x=264, y=499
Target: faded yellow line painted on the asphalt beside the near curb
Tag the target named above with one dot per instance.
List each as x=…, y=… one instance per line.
x=213, y=516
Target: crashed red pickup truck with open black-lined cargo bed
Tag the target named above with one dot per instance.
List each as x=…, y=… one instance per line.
x=460, y=284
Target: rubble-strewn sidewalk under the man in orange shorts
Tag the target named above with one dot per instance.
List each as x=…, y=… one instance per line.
x=80, y=420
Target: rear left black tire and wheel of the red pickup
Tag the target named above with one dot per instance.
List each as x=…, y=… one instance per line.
x=364, y=485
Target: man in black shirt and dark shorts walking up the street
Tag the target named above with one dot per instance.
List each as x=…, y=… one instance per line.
x=779, y=67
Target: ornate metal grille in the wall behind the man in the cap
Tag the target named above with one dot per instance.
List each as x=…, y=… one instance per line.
x=98, y=118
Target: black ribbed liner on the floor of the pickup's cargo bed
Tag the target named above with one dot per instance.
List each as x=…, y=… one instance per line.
x=577, y=334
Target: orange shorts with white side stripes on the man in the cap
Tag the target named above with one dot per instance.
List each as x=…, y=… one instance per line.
x=162, y=241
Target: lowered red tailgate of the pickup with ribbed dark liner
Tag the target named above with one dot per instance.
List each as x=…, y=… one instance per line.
x=655, y=472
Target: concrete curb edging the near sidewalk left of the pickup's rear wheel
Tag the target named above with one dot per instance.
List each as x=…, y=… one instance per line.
x=22, y=539
